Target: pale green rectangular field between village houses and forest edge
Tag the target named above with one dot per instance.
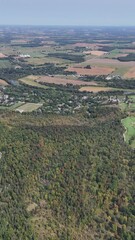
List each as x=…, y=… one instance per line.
x=28, y=107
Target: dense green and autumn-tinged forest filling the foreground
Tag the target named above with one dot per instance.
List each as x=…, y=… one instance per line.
x=63, y=178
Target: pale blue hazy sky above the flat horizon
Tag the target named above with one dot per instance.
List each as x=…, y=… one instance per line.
x=67, y=12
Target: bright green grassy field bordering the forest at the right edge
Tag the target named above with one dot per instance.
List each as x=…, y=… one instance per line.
x=129, y=135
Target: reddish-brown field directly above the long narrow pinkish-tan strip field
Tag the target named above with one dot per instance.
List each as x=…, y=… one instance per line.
x=93, y=71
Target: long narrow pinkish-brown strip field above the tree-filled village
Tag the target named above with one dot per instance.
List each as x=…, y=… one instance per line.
x=63, y=81
